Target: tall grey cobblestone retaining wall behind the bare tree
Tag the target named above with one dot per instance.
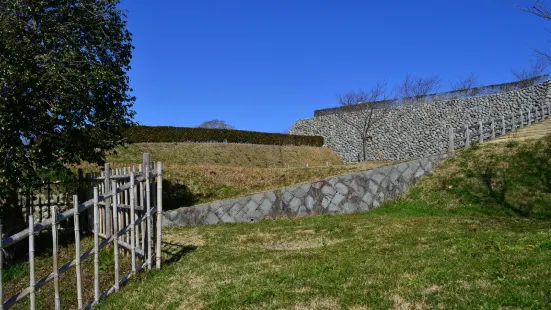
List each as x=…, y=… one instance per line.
x=418, y=130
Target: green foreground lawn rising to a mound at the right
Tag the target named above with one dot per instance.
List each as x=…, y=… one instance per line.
x=449, y=243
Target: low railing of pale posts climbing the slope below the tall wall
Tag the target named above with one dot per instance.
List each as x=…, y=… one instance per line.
x=481, y=131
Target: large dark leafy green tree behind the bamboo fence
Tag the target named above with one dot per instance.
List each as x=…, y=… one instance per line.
x=64, y=89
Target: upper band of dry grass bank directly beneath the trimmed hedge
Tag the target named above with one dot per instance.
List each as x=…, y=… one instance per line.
x=229, y=154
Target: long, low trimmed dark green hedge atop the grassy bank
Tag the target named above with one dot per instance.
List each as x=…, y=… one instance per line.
x=137, y=134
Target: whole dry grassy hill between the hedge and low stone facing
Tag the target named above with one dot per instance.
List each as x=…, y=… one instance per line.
x=200, y=172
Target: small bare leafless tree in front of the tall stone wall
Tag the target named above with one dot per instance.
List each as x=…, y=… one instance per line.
x=370, y=109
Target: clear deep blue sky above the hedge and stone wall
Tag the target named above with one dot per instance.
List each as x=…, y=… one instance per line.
x=262, y=64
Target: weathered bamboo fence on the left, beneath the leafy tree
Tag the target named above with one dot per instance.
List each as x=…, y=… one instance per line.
x=122, y=214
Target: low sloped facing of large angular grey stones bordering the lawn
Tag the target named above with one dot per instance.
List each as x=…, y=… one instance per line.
x=358, y=192
